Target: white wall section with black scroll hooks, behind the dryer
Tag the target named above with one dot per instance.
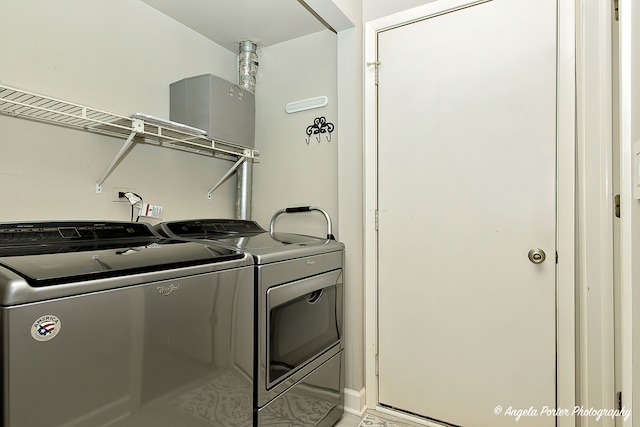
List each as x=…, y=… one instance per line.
x=290, y=171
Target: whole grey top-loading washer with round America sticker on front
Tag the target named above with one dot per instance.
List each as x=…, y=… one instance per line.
x=109, y=324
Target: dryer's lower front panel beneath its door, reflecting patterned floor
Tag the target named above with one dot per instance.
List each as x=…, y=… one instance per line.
x=315, y=401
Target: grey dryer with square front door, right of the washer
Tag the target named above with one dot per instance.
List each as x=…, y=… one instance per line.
x=298, y=361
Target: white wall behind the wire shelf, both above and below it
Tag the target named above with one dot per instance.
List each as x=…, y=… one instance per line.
x=117, y=56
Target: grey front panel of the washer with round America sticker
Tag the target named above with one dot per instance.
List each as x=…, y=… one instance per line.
x=149, y=354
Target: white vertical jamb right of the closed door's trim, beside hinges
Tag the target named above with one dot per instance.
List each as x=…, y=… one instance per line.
x=596, y=383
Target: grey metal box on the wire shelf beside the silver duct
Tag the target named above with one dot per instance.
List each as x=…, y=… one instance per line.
x=221, y=108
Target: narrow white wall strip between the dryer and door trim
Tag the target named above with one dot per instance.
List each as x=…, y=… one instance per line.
x=351, y=188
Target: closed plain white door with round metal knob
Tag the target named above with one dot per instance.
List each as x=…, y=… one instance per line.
x=466, y=158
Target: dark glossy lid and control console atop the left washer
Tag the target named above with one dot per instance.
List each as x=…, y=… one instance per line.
x=46, y=254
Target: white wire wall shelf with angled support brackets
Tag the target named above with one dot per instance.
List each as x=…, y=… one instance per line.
x=135, y=128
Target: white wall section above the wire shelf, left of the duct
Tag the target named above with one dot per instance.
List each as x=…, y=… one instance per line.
x=117, y=56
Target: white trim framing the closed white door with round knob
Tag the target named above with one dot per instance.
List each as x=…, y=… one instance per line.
x=566, y=206
